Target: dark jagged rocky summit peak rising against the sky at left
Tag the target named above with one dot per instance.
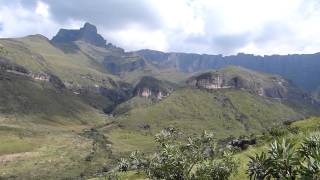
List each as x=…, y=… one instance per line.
x=88, y=33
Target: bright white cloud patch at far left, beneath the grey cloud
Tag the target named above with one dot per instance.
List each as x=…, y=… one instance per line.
x=20, y=21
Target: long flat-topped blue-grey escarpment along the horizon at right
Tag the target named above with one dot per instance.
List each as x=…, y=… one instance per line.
x=301, y=69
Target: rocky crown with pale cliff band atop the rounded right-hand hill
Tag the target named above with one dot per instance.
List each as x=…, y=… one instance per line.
x=240, y=78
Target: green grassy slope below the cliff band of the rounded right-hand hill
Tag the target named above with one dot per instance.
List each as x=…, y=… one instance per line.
x=194, y=110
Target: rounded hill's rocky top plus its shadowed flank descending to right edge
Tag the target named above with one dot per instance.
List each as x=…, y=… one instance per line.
x=261, y=84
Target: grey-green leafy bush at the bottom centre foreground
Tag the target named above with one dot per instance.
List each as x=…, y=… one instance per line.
x=195, y=158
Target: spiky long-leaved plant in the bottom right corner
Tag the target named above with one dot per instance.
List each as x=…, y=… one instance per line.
x=285, y=161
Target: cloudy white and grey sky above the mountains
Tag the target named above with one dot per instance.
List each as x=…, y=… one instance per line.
x=196, y=26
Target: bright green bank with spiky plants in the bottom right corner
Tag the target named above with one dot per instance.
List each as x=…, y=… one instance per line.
x=293, y=147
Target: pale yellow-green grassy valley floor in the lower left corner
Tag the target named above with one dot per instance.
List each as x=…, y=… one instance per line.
x=51, y=153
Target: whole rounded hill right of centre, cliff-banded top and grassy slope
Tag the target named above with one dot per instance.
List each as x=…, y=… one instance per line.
x=230, y=101
